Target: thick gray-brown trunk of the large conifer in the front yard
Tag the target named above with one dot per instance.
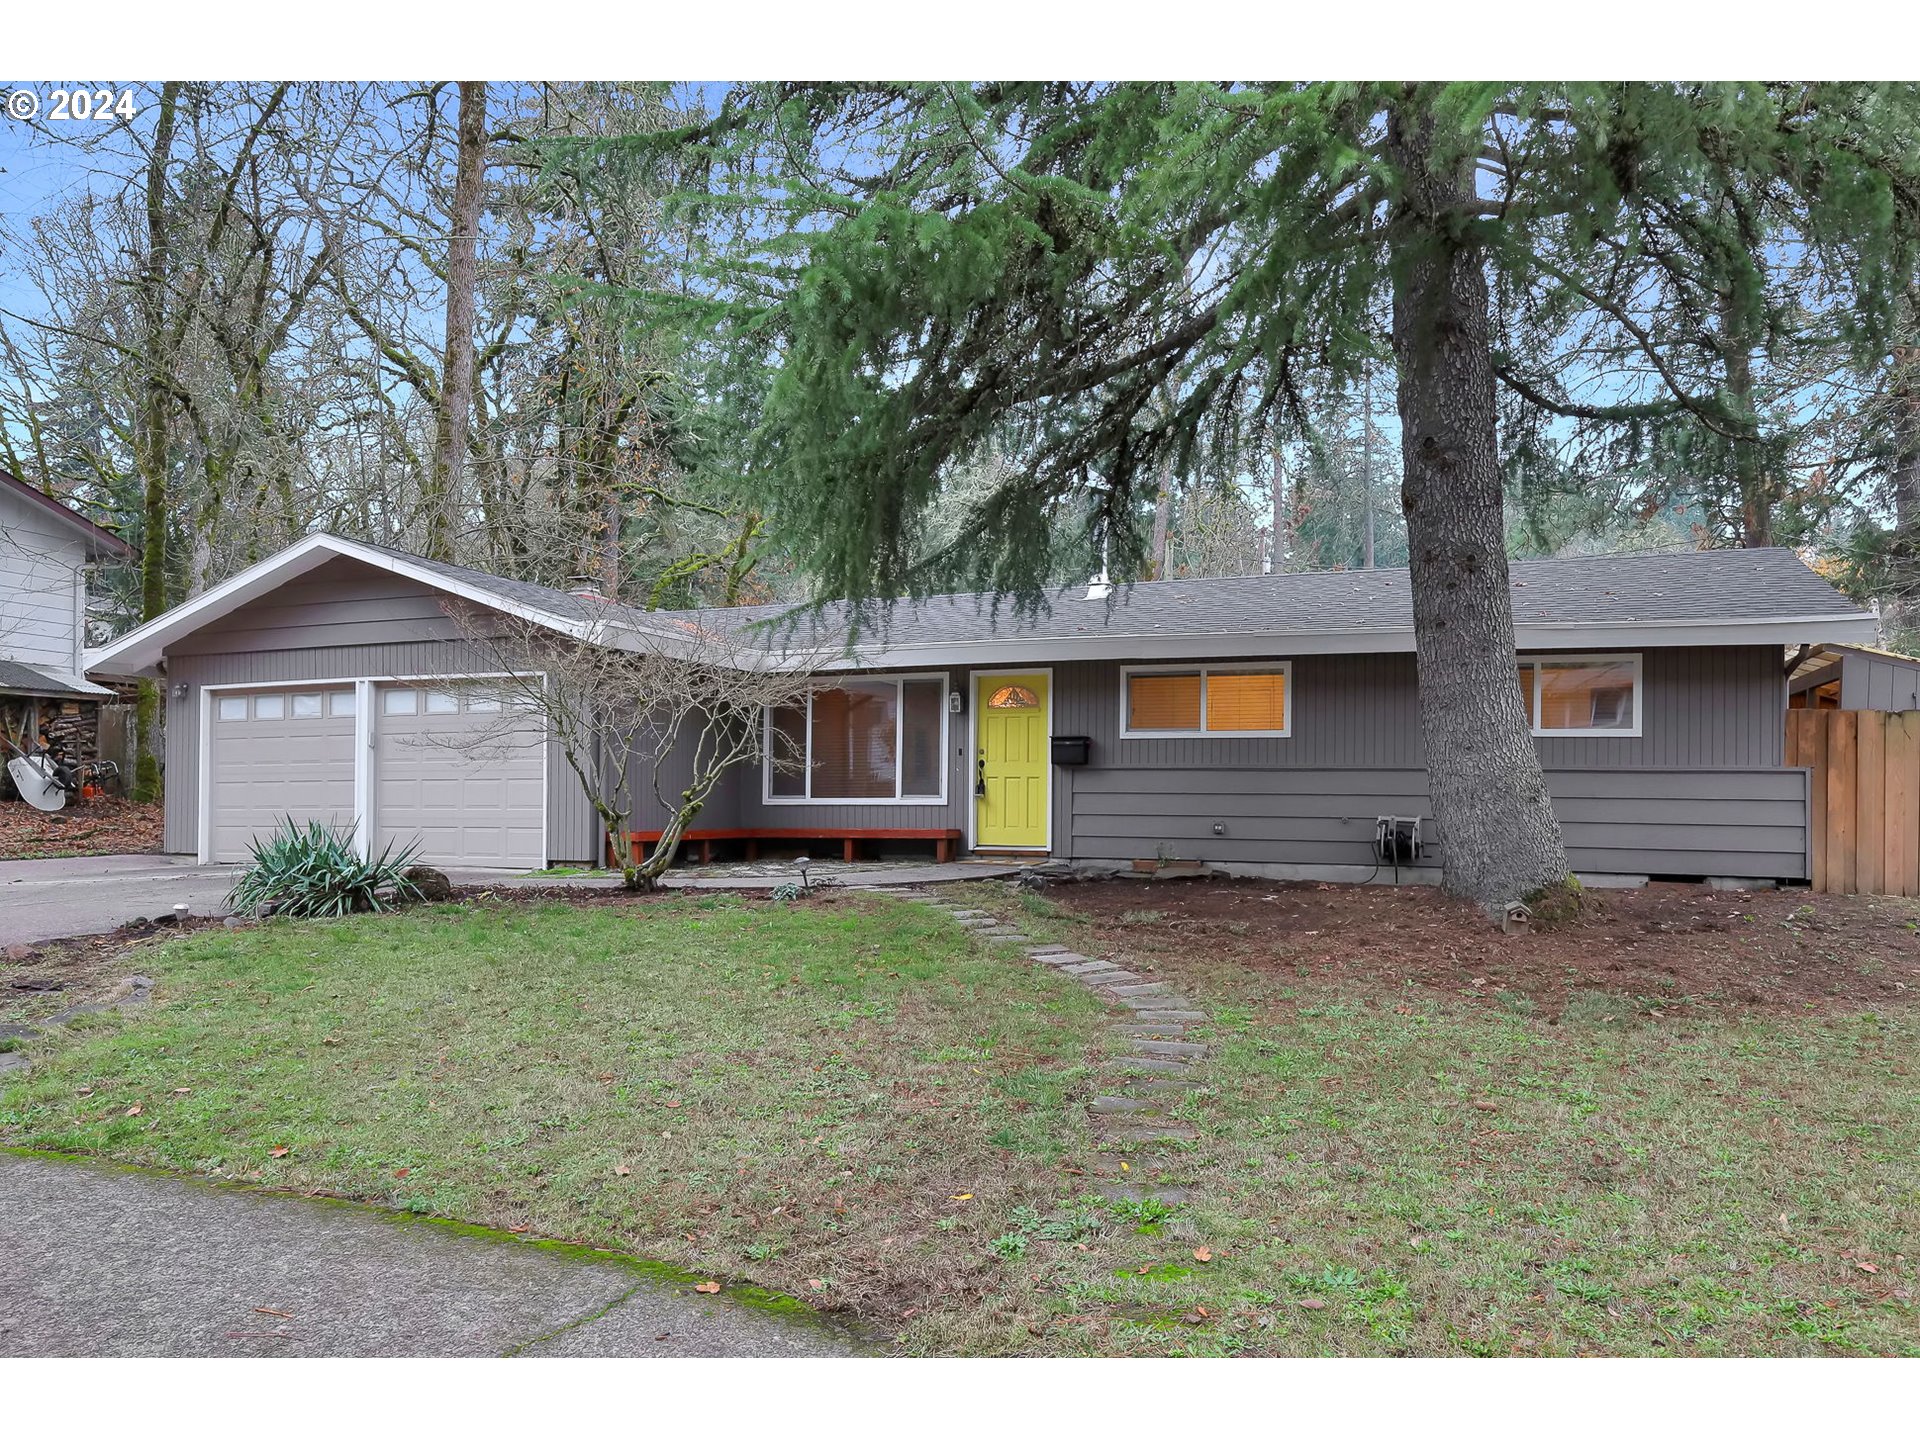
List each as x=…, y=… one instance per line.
x=1497, y=828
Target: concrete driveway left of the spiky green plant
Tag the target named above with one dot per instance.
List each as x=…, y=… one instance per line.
x=91, y=896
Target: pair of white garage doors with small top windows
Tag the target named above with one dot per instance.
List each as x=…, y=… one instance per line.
x=291, y=754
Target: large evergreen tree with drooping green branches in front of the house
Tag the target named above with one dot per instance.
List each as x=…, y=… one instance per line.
x=1134, y=277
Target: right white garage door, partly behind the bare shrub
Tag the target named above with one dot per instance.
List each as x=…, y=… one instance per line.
x=466, y=805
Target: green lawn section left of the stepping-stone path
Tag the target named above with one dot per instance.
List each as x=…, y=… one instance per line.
x=790, y=1095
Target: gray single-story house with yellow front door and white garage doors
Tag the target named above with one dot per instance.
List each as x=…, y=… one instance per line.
x=1259, y=725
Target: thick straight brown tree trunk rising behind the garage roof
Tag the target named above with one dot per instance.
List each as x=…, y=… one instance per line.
x=458, y=366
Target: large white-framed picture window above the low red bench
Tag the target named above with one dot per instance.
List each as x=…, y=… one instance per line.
x=878, y=740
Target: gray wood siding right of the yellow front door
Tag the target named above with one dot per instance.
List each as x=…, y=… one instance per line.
x=1698, y=792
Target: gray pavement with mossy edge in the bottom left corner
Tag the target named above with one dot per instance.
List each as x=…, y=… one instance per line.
x=108, y=1262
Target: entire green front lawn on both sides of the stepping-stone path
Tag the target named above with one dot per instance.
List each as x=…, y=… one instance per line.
x=853, y=1103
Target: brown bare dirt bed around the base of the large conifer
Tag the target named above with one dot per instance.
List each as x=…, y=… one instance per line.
x=1664, y=944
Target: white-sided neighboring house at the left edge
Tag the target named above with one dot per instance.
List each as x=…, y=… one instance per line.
x=45, y=554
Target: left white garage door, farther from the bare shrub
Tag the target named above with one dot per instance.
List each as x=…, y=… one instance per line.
x=274, y=756
